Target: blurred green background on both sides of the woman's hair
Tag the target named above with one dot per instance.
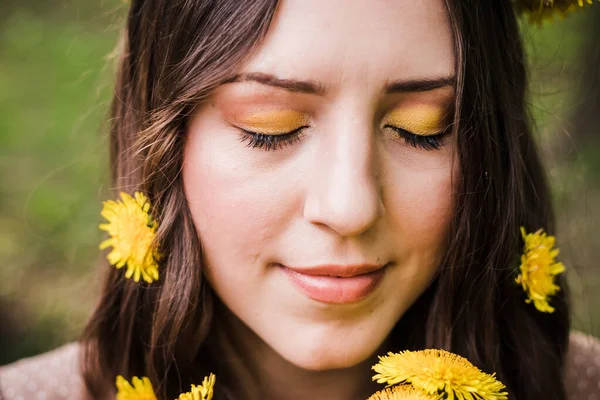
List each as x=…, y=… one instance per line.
x=56, y=73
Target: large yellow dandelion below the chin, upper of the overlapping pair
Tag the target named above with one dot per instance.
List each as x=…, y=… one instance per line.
x=438, y=372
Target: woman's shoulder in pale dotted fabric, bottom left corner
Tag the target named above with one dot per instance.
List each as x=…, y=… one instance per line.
x=50, y=376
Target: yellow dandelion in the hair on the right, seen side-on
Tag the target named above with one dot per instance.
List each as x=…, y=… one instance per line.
x=538, y=269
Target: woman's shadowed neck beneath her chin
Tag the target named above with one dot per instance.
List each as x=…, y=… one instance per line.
x=261, y=373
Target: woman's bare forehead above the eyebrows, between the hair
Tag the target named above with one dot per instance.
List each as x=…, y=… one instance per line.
x=357, y=41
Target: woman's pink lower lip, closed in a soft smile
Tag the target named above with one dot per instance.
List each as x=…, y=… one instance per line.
x=336, y=290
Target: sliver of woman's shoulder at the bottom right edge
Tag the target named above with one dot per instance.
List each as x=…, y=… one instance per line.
x=582, y=367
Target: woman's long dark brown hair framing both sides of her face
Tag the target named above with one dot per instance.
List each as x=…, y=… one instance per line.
x=174, y=53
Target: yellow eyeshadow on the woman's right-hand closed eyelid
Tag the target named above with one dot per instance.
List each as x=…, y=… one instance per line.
x=420, y=120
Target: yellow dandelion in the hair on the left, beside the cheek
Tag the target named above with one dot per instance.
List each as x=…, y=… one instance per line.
x=132, y=231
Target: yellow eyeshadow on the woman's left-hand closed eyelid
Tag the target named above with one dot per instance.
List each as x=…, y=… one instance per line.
x=274, y=122
